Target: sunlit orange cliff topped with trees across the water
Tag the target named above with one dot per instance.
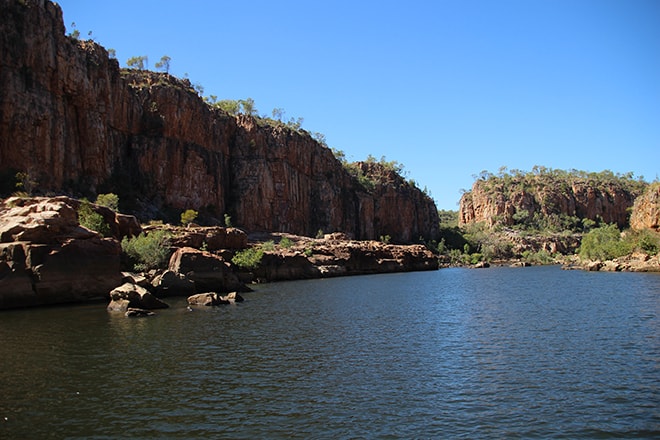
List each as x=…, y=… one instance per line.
x=546, y=196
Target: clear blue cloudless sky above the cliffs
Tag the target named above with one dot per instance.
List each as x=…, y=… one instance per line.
x=446, y=88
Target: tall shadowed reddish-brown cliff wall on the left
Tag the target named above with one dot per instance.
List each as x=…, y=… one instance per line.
x=77, y=123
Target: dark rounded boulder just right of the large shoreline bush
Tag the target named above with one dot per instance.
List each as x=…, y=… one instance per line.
x=208, y=271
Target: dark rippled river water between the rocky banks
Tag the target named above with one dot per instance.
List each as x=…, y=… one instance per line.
x=456, y=353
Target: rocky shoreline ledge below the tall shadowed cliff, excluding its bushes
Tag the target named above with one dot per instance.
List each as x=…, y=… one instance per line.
x=47, y=257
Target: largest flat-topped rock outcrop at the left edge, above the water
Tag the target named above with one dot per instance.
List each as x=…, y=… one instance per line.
x=46, y=257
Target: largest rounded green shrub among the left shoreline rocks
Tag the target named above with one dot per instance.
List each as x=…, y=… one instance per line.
x=147, y=251
